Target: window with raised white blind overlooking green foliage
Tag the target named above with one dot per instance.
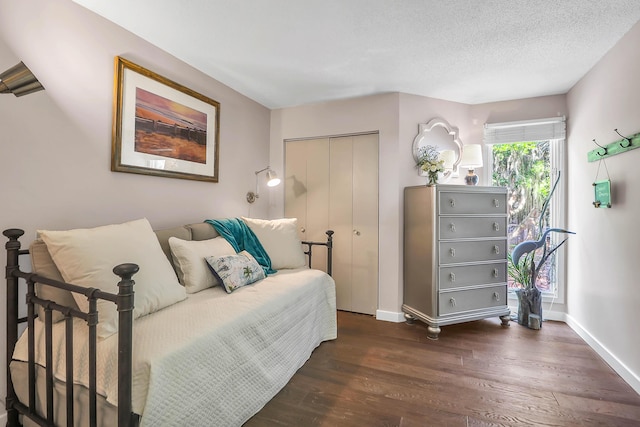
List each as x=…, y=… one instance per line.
x=526, y=157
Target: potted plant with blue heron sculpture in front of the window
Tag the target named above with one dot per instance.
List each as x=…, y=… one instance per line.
x=525, y=263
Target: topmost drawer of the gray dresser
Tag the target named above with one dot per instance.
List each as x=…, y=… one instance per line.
x=472, y=203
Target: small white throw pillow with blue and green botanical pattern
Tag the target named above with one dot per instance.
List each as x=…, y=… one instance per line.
x=235, y=271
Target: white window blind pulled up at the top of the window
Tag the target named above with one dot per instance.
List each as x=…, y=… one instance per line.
x=526, y=130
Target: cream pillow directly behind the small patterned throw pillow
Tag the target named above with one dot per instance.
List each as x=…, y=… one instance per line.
x=189, y=260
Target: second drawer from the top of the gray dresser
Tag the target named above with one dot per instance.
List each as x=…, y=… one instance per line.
x=471, y=227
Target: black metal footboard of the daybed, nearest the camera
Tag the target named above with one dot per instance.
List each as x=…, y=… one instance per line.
x=124, y=301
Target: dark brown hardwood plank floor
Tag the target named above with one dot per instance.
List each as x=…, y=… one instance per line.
x=477, y=374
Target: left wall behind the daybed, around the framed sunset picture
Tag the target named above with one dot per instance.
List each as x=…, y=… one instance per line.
x=55, y=145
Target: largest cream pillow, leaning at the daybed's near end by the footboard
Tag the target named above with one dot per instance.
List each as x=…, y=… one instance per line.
x=86, y=257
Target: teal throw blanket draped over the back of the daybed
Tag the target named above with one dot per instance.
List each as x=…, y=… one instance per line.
x=240, y=236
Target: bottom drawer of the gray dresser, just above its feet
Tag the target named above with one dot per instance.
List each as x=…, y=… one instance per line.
x=471, y=299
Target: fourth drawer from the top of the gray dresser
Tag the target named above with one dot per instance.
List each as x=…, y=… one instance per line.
x=477, y=274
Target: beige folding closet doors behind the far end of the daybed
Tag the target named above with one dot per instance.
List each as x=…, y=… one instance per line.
x=332, y=183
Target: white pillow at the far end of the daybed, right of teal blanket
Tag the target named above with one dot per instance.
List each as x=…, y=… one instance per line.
x=279, y=237
